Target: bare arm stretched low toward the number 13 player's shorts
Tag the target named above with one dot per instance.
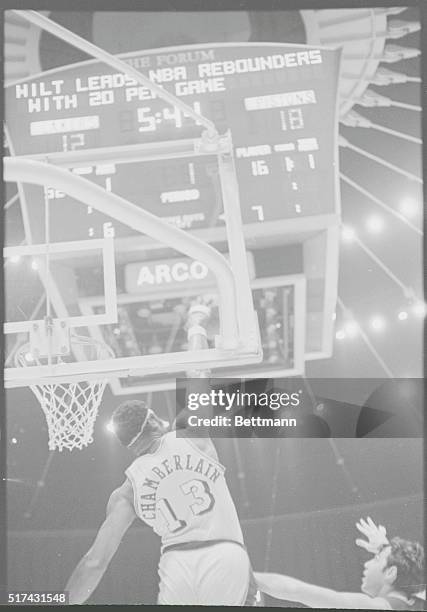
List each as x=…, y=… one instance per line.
x=291, y=589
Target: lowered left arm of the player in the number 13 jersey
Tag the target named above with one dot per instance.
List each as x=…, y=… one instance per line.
x=88, y=573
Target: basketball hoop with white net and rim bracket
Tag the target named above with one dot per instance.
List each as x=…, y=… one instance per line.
x=70, y=408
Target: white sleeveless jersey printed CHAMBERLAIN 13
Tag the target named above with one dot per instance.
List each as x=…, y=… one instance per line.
x=182, y=494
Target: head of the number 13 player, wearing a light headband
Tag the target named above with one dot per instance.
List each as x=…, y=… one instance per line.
x=136, y=426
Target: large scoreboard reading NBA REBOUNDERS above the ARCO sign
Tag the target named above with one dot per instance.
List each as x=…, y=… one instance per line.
x=278, y=101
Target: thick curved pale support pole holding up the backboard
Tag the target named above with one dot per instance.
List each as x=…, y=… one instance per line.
x=238, y=326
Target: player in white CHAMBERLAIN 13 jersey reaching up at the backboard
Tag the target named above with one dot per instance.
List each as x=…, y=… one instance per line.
x=176, y=485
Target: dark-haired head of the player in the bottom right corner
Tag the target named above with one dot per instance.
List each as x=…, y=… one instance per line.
x=398, y=566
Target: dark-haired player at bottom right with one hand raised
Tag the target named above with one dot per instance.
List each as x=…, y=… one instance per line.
x=391, y=578
